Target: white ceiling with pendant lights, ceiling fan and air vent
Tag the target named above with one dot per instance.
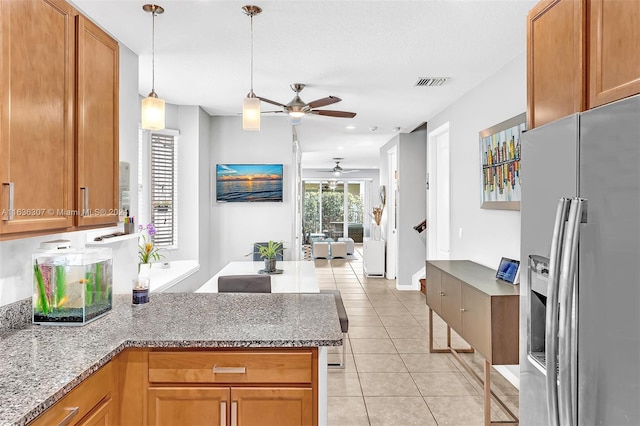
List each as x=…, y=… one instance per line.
x=369, y=53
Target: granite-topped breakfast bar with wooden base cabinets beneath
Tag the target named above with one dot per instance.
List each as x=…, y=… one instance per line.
x=170, y=356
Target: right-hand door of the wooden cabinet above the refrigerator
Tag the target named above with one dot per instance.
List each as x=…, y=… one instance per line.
x=614, y=52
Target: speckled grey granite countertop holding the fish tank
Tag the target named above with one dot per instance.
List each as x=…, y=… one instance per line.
x=40, y=364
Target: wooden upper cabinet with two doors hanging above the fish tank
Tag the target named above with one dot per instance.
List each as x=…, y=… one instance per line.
x=58, y=120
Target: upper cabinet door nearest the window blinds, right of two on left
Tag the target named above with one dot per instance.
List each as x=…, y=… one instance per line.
x=97, y=165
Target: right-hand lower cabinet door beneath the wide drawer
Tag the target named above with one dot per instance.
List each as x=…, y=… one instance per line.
x=272, y=406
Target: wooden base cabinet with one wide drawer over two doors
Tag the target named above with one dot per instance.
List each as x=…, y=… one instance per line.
x=232, y=387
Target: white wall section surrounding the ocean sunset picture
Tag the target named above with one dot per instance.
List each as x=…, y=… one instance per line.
x=236, y=226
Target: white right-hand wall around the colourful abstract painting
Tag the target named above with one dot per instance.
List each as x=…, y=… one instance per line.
x=487, y=234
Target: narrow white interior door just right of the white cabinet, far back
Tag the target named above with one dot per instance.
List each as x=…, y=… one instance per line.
x=392, y=209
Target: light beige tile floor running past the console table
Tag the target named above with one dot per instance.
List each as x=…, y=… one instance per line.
x=390, y=377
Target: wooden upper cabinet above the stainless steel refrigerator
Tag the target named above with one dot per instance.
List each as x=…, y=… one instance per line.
x=580, y=54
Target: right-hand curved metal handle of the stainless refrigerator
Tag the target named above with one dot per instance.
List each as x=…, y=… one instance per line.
x=567, y=355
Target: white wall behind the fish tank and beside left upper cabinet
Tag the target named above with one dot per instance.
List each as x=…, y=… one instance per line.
x=15, y=255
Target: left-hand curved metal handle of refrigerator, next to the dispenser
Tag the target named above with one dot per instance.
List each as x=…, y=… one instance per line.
x=551, y=327
